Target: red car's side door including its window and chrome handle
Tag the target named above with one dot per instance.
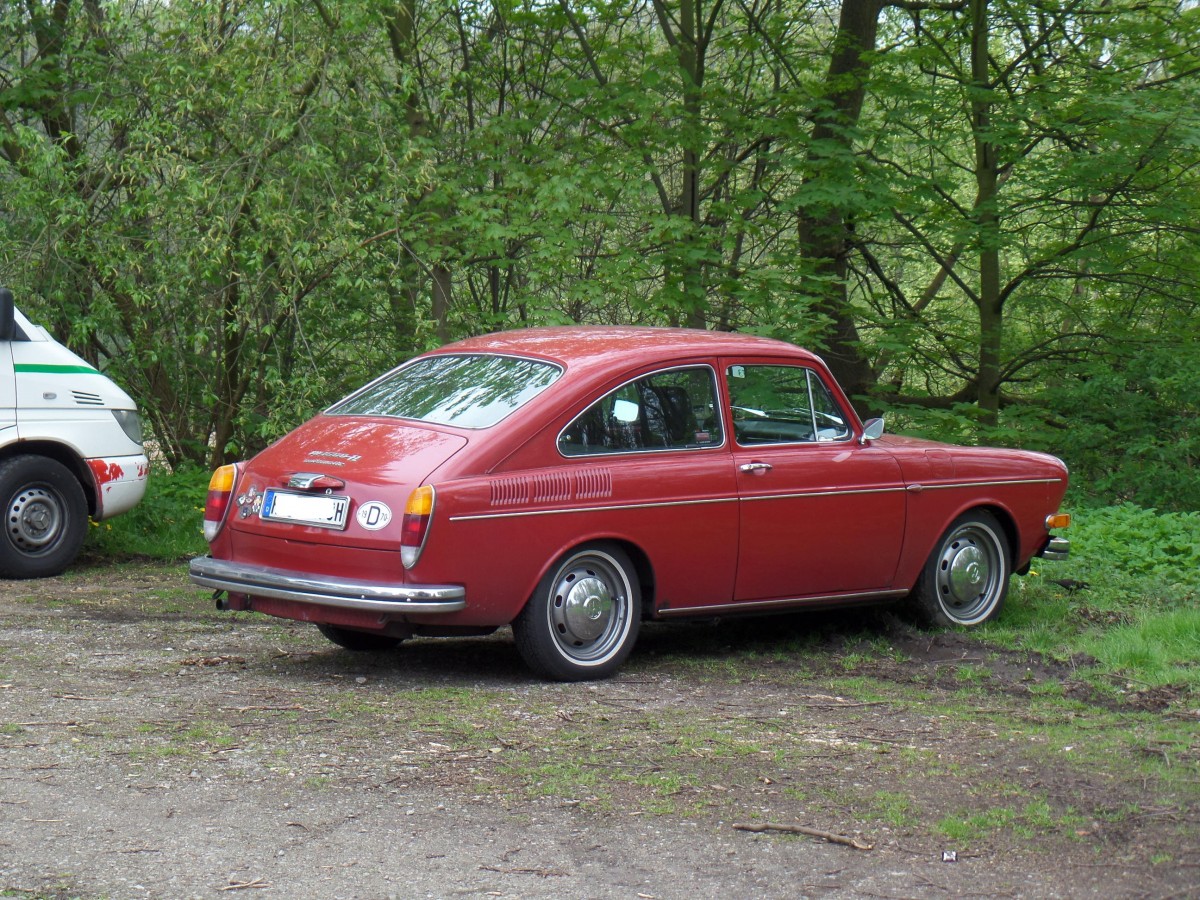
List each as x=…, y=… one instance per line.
x=821, y=513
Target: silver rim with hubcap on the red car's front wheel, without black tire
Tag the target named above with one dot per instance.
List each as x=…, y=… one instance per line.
x=971, y=574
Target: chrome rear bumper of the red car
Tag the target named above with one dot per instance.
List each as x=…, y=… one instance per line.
x=326, y=591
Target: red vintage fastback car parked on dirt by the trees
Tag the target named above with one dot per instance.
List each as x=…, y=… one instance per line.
x=573, y=482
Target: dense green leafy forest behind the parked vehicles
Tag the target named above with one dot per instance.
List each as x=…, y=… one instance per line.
x=982, y=213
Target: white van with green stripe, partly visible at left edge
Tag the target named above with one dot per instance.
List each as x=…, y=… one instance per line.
x=70, y=448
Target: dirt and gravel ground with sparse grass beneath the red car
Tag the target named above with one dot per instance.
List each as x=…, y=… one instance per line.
x=151, y=747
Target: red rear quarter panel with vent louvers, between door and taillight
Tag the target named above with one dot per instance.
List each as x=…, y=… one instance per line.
x=500, y=535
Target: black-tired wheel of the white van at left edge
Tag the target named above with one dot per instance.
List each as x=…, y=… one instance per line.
x=45, y=518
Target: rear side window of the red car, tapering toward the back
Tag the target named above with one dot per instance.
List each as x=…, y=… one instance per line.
x=668, y=411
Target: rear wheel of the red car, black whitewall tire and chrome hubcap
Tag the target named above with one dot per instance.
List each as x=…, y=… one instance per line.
x=584, y=619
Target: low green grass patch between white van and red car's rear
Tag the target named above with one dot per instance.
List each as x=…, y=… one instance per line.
x=165, y=526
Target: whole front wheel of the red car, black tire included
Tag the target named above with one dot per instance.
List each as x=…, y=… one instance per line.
x=965, y=580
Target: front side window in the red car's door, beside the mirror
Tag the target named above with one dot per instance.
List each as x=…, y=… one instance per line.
x=783, y=405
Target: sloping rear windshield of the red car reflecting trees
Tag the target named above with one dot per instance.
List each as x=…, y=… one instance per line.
x=469, y=392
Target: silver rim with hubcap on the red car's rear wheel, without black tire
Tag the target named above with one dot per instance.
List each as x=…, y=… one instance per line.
x=590, y=609
